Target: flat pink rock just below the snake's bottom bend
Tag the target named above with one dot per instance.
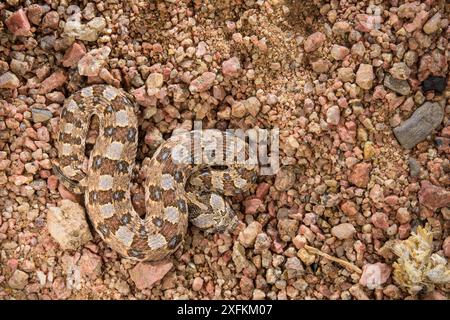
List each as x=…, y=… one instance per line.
x=144, y=275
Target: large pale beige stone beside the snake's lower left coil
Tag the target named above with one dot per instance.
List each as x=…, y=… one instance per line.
x=68, y=226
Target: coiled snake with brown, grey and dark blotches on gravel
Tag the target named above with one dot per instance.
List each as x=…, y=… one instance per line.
x=184, y=181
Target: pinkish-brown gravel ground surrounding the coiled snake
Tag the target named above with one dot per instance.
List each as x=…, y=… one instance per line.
x=360, y=93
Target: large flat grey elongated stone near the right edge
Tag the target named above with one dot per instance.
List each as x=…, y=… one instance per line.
x=422, y=122
